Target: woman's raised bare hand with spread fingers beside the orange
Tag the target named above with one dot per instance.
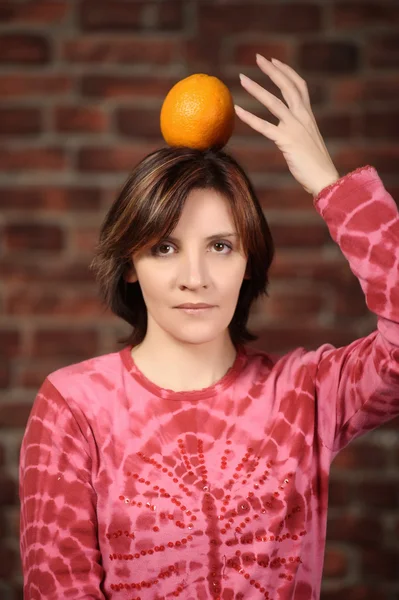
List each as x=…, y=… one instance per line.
x=297, y=134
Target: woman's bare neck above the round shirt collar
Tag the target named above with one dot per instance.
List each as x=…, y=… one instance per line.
x=181, y=366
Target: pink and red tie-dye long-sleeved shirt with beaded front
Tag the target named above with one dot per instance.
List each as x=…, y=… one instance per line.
x=130, y=491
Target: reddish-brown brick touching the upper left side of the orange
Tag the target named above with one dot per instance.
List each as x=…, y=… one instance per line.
x=109, y=86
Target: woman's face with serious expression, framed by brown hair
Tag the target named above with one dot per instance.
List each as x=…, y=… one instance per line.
x=201, y=262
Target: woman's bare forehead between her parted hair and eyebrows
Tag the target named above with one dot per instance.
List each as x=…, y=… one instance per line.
x=204, y=210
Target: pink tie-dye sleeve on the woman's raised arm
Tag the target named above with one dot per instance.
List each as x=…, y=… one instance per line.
x=357, y=386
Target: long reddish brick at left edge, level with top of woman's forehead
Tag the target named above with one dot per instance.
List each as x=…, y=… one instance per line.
x=51, y=199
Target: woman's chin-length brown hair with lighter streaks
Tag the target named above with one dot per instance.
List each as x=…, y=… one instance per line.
x=148, y=208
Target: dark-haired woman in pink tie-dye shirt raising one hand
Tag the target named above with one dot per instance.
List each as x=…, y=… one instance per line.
x=189, y=464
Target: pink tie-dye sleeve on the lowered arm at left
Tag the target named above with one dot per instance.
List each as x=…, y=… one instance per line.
x=58, y=524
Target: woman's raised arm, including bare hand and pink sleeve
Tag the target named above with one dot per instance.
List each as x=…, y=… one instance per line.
x=357, y=386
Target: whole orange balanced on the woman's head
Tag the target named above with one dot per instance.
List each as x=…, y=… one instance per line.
x=198, y=112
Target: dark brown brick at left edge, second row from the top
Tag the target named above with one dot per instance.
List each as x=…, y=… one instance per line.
x=24, y=49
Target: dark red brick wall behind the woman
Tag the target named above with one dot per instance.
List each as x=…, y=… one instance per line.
x=81, y=85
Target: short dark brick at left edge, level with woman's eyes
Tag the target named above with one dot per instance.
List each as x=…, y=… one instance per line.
x=25, y=236
